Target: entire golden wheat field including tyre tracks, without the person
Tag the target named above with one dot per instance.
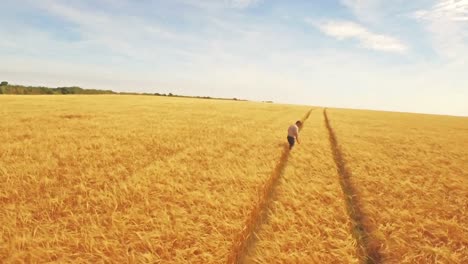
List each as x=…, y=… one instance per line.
x=145, y=179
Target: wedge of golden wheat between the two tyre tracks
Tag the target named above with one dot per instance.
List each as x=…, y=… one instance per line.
x=307, y=220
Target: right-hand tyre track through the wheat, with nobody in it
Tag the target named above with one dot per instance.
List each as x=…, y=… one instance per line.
x=368, y=247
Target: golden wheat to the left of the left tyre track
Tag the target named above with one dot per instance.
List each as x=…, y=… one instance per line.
x=131, y=178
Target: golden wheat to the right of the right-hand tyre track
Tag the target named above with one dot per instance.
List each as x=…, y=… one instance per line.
x=411, y=174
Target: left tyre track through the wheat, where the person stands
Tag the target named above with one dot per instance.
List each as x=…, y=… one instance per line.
x=255, y=218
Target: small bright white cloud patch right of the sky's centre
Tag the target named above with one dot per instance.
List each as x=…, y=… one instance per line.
x=342, y=30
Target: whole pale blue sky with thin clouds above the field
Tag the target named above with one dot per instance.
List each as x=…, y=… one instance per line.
x=399, y=55
